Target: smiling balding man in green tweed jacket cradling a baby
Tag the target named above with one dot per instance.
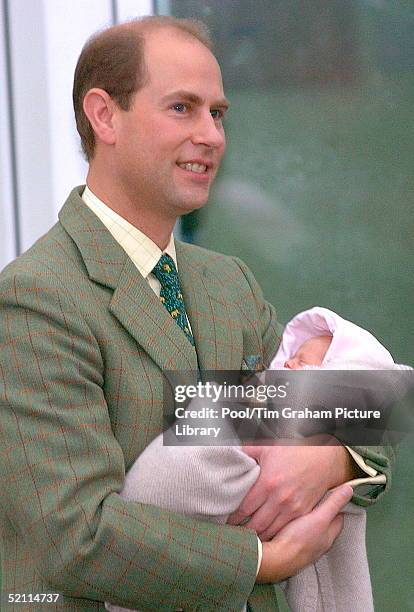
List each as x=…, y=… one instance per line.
x=85, y=342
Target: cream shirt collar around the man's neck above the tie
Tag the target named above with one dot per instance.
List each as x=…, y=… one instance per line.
x=144, y=253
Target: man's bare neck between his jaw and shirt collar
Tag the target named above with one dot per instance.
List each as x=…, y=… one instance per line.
x=153, y=225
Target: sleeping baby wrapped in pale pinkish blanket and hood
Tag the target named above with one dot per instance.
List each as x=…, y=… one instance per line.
x=209, y=482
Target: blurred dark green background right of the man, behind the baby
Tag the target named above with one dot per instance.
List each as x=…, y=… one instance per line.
x=316, y=192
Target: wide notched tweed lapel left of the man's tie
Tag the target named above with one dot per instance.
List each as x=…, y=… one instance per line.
x=133, y=303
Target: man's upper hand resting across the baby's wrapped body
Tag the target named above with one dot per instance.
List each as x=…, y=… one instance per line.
x=292, y=480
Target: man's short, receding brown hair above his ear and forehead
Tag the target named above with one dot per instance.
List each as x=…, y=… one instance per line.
x=113, y=60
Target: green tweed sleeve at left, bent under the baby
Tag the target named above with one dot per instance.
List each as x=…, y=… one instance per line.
x=61, y=470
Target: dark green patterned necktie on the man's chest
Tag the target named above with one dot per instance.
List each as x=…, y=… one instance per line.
x=171, y=295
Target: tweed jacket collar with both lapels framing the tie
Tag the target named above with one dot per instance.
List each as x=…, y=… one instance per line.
x=138, y=309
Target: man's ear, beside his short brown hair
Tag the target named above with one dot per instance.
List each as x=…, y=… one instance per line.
x=99, y=108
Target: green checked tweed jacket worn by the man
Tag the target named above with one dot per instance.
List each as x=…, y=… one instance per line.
x=84, y=344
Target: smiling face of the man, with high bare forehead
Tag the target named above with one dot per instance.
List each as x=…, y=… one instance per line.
x=170, y=143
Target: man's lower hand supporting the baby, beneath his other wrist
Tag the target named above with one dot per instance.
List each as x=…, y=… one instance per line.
x=305, y=539
